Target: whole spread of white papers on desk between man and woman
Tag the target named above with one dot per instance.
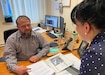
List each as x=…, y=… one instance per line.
x=55, y=65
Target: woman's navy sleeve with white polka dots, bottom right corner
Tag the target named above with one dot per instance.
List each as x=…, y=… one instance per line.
x=92, y=63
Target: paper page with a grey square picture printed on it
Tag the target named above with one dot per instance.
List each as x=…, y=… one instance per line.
x=58, y=62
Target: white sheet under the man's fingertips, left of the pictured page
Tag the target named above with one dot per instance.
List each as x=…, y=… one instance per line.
x=40, y=68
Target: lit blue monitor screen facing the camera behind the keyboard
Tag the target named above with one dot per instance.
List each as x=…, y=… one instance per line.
x=51, y=21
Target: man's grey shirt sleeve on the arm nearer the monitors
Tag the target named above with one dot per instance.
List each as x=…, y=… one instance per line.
x=44, y=46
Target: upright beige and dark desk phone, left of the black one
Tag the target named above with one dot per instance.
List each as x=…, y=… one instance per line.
x=69, y=44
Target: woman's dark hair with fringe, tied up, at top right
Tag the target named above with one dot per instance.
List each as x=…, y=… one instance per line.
x=91, y=11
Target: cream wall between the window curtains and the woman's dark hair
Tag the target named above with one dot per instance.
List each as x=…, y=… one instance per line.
x=50, y=9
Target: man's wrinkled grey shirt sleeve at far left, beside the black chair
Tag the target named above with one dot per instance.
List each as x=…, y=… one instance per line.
x=10, y=54
